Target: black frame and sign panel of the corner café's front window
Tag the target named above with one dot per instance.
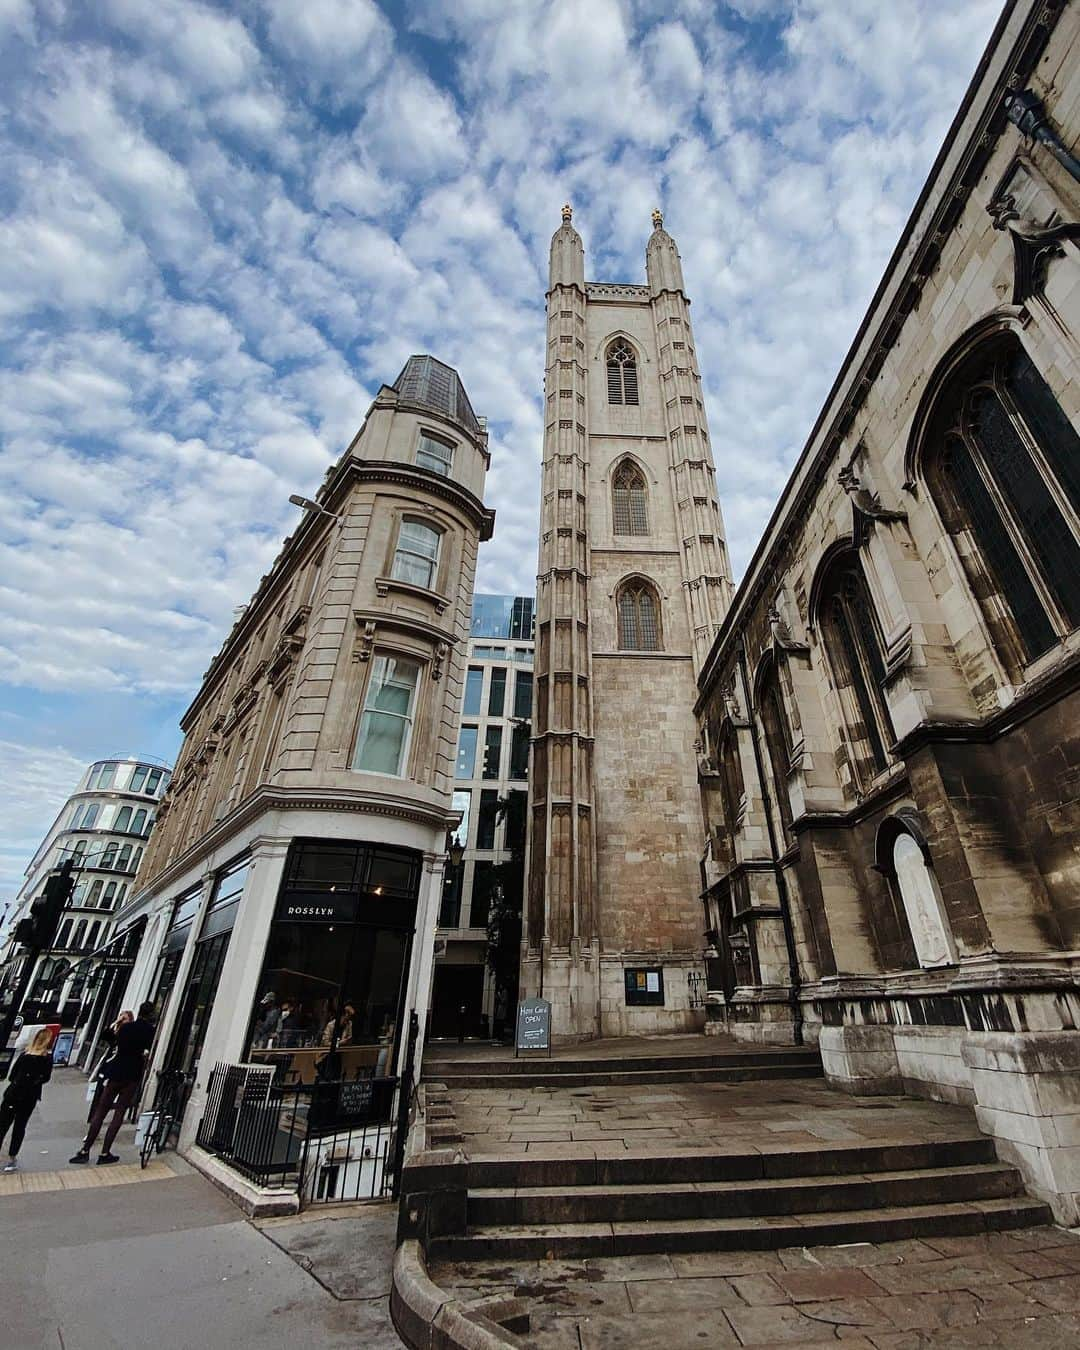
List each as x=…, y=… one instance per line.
x=360, y=901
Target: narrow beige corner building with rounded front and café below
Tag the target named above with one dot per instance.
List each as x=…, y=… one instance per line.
x=299, y=854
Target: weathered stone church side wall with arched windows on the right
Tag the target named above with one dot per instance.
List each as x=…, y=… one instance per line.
x=889, y=718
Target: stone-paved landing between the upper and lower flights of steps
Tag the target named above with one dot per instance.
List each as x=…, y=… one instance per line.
x=691, y=1116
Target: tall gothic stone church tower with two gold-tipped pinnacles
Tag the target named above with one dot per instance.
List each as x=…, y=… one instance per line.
x=634, y=583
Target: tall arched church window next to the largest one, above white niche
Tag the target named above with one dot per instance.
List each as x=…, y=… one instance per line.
x=854, y=645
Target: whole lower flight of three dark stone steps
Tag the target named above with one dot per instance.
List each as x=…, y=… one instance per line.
x=749, y=1198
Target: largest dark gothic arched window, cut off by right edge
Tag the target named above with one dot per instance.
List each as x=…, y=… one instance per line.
x=1004, y=465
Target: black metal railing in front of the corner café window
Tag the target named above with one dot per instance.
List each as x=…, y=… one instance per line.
x=335, y=1140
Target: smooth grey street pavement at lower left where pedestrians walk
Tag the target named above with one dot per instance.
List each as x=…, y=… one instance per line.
x=125, y=1259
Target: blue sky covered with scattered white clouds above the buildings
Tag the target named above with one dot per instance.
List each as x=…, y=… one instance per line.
x=226, y=225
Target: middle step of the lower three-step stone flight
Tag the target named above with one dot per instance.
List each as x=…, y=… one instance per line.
x=745, y=1201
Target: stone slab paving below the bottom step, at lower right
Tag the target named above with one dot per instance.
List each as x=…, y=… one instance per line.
x=1004, y=1290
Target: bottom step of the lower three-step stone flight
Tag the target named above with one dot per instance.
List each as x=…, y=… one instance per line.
x=576, y=1241
